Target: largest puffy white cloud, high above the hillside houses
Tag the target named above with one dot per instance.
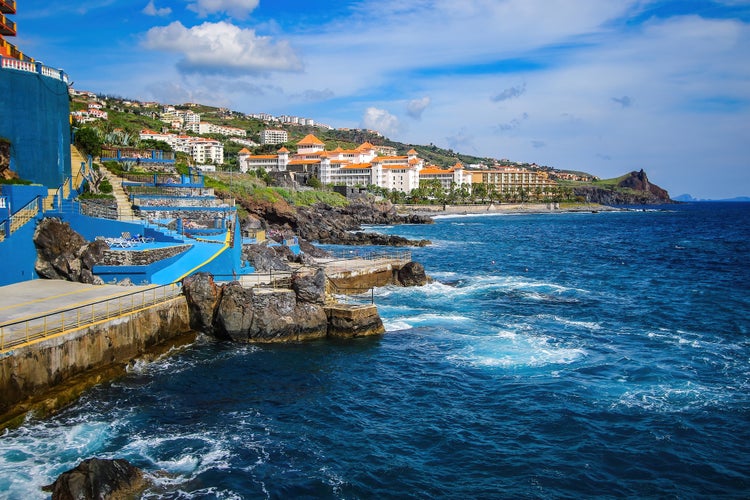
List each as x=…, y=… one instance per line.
x=222, y=48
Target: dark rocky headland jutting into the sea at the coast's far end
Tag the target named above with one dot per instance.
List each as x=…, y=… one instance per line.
x=632, y=189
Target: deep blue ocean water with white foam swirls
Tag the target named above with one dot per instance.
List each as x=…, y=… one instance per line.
x=554, y=356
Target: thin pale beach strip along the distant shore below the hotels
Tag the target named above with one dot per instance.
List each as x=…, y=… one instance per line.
x=504, y=208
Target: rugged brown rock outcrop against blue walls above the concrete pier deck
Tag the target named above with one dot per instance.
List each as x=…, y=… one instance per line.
x=64, y=254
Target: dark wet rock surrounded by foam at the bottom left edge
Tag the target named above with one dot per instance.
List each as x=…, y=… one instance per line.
x=95, y=479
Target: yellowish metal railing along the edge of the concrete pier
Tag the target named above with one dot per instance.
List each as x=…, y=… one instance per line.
x=37, y=328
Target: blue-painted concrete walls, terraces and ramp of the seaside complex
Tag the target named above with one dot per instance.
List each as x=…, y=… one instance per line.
x=35, y=120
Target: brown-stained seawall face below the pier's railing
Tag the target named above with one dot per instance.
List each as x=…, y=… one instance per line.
x=39, y=377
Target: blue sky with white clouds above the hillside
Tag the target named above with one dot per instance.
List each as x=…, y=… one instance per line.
x=603, y=86
